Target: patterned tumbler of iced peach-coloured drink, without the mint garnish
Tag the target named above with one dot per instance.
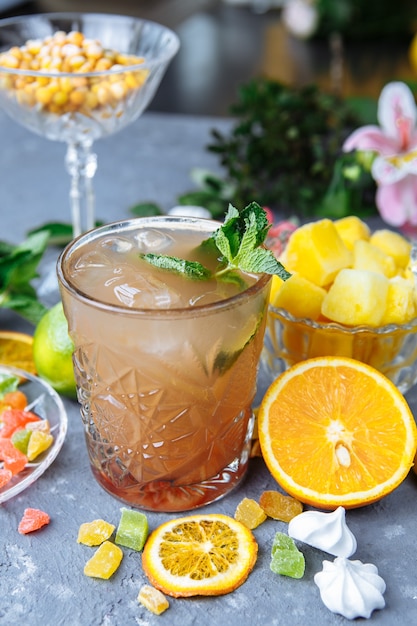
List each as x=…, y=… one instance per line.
x=166, y=365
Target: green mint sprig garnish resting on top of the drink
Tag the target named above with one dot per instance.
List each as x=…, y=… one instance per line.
x=240, y=242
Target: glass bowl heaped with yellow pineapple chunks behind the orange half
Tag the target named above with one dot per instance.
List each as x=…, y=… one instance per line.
x=352, y=293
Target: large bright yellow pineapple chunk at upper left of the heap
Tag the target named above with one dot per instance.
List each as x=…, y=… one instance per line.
x=316, y=252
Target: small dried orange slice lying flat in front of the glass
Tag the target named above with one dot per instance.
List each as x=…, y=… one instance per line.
x=209, y=555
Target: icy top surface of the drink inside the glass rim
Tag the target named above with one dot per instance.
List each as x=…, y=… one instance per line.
x=111, y=270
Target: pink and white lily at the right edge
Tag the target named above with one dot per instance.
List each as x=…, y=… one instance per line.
x=395, y=142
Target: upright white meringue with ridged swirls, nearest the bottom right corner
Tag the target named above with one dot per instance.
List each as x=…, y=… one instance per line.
x=350, y=588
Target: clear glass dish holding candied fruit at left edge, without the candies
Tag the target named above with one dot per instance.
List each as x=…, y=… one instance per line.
x=45, y=402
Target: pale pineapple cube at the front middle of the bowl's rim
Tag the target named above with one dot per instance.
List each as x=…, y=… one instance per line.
x=356, y=297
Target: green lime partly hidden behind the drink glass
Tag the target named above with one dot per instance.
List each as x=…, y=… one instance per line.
x=52, y=351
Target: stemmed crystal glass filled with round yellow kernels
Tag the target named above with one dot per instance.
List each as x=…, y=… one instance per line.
x=78, y=77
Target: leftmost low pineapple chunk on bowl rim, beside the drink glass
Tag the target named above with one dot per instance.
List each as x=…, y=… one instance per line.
x=300, y=297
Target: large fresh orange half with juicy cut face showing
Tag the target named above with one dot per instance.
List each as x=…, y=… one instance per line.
x=336, y=432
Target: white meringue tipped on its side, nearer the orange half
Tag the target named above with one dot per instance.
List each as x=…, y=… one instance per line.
x=325, y=531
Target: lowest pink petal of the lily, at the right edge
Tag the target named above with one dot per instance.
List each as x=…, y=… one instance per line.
x=397, y=203
